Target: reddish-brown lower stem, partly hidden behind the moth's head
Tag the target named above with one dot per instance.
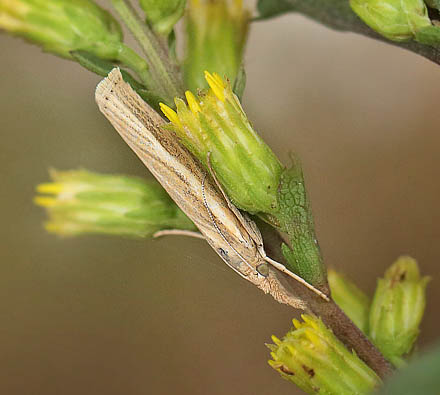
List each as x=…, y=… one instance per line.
x=330, y=313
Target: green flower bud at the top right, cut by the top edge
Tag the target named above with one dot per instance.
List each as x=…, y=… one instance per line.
x=397, y=20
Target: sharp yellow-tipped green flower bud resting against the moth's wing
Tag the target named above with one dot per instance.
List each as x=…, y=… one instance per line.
x=214, y=122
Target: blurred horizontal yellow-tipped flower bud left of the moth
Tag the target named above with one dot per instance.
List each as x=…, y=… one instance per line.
x=80, y=202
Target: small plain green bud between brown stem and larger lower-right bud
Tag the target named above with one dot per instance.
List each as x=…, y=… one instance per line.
x=354, y=302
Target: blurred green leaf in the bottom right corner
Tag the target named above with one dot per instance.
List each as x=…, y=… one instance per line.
x=422, y=376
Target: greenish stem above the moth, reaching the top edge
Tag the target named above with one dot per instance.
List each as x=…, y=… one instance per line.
x=164, y=74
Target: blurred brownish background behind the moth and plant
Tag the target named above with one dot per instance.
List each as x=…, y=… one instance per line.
x=97, y=315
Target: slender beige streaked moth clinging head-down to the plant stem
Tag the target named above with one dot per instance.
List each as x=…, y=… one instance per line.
x=233, y=236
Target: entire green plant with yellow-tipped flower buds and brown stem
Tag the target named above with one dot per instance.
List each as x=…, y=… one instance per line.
x=200, y=95
